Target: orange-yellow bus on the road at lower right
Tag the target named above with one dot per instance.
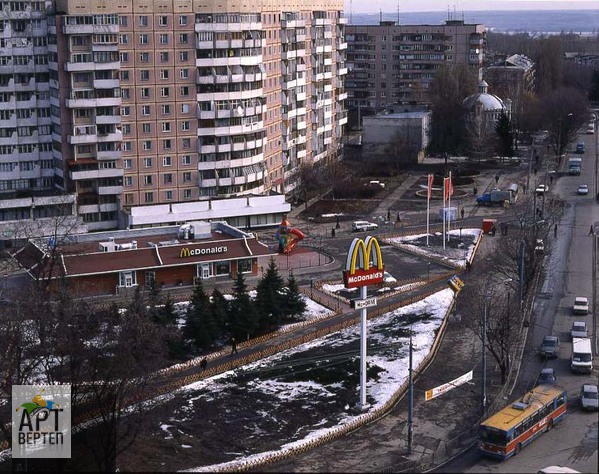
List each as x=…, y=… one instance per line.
x=506, y=432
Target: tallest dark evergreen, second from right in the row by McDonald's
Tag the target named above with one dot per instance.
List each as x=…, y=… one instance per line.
x=270, y=299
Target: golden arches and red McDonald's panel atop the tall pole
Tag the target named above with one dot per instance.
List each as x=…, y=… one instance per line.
x=364, y=264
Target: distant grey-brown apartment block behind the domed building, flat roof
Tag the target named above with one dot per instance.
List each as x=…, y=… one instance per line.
x=393, y=64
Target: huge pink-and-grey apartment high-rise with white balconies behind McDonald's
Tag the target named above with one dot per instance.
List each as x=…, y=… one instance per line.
x=144, y=102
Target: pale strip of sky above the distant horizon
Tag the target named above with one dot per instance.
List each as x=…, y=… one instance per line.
x=371, y=6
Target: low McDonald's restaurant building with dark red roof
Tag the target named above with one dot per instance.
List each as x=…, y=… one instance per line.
x=110, y=262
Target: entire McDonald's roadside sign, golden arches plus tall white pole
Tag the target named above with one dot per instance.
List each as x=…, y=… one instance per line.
x=363, y=267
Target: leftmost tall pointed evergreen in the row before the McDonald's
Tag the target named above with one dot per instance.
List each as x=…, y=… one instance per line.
x=199, y=324
